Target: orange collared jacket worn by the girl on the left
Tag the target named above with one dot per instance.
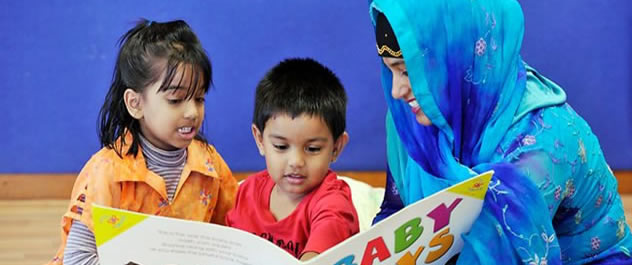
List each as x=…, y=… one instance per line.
x=206, y=191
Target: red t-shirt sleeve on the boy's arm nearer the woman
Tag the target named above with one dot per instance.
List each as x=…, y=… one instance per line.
x=334, y=219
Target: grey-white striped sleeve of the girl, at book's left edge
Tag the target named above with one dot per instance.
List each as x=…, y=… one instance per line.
x=80, y=246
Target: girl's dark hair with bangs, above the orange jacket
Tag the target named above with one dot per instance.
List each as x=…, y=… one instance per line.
x=143, y=51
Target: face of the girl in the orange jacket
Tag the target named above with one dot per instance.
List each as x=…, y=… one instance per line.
x=168, y=119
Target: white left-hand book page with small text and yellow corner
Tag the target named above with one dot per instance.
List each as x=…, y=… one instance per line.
x=125, y=237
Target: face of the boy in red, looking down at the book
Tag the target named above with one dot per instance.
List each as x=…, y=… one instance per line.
x=298, y=152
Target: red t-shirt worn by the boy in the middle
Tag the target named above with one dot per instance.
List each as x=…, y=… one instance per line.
x=324, y=218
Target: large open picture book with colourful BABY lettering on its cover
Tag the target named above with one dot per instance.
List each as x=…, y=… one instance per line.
x=426, y=232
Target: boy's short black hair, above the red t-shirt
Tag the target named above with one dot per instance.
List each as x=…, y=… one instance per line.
x=298, y=86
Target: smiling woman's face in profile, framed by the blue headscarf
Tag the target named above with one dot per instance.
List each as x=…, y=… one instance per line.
x=402, y=89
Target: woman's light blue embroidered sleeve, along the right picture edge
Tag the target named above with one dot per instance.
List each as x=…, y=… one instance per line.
x=565, y=161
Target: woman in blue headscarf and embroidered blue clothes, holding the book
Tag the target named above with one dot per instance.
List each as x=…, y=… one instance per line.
x=462, y=101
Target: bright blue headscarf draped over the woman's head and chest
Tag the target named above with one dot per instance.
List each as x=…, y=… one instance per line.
x=463, y=62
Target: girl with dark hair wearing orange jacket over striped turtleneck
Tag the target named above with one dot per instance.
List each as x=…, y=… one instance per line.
x=154, y=159
